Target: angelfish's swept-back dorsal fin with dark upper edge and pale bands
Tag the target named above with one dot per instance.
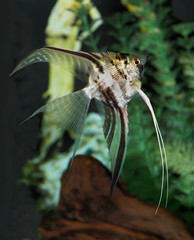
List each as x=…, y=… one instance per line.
x=79, y=60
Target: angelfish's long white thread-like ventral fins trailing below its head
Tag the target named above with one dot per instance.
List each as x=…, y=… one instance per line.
x=162, y=150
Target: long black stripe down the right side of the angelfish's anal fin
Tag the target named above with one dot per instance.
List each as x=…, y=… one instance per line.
x=120, y=154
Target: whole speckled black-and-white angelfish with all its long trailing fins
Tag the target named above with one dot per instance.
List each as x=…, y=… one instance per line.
x=113, y=80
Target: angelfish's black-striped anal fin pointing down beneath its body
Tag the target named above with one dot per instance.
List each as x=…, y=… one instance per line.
x=115, y=127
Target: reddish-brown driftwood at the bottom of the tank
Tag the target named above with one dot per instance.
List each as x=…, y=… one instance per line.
x=84, y=212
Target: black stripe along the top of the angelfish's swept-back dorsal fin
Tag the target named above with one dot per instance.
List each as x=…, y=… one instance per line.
x=81, y=54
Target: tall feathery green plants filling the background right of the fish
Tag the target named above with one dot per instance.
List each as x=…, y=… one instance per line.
x=169, y=77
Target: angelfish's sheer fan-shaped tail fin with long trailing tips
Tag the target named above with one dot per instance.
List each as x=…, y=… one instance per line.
x=68, y=112
